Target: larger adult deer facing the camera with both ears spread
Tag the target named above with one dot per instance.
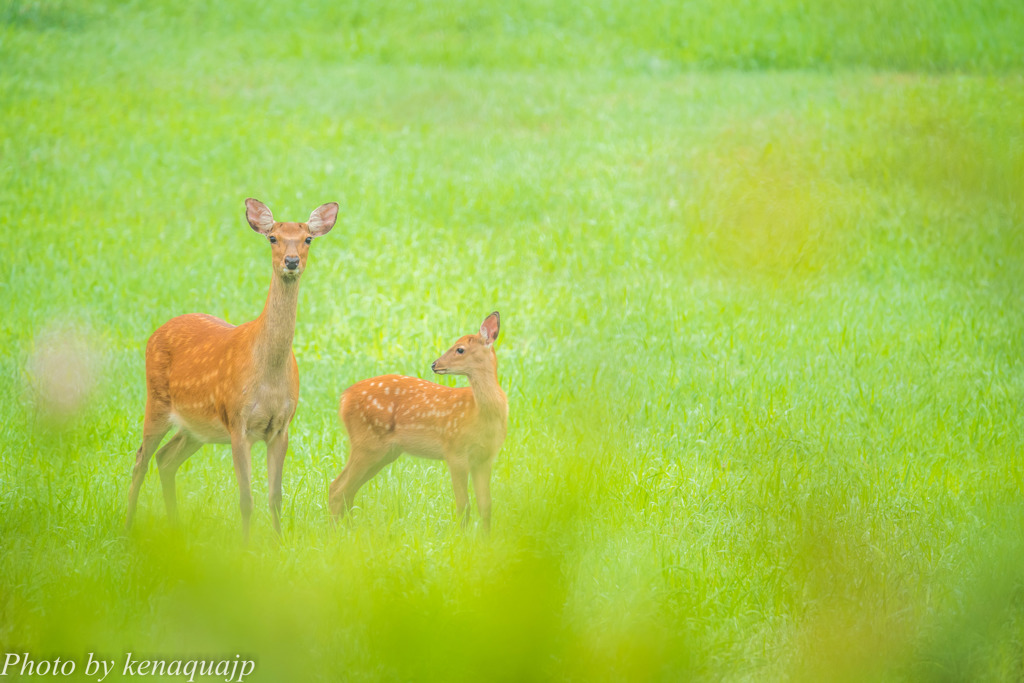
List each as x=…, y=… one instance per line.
x=219, y=383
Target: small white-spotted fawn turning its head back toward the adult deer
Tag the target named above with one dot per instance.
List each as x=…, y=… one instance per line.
x=465, y=428
